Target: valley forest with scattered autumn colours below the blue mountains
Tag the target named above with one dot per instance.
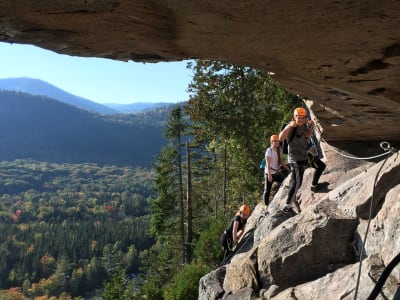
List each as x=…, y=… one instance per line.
x=66, y=227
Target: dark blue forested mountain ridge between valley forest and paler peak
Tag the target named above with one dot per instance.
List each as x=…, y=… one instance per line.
x=44, y=129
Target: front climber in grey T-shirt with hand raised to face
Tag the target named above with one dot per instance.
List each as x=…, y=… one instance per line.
x=297, y=134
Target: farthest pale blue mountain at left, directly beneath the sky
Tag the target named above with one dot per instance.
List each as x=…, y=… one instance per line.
x=39, y=87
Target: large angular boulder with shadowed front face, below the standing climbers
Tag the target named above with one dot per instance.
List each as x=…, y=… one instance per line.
x=306, y=247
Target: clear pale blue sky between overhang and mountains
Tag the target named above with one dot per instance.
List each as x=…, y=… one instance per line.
x=97, y=79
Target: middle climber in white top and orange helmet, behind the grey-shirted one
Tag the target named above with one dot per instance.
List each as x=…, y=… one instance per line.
x=273, y=161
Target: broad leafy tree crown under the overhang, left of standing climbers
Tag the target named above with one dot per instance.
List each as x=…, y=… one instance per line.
x=236, y=109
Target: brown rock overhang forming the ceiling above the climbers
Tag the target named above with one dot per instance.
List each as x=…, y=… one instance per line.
x=342, y=55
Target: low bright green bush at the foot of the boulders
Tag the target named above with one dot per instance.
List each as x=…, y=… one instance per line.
x=185, y=285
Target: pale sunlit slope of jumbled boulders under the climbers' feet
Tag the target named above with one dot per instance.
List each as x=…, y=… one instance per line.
x=315, y=253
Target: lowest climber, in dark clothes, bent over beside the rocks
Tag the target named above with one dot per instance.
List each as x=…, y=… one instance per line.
x=232, y=234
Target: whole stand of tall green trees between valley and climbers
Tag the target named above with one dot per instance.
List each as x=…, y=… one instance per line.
x=232, y=112
